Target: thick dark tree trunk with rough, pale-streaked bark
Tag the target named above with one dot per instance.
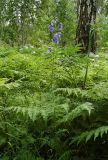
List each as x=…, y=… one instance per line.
x=86, y=16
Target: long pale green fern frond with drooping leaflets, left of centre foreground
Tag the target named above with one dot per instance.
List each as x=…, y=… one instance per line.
x=43, y=110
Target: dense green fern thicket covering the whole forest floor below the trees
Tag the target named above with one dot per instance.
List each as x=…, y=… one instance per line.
x=47, y=112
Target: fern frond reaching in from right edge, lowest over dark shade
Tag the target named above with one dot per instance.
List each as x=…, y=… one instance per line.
x=87, y=135
